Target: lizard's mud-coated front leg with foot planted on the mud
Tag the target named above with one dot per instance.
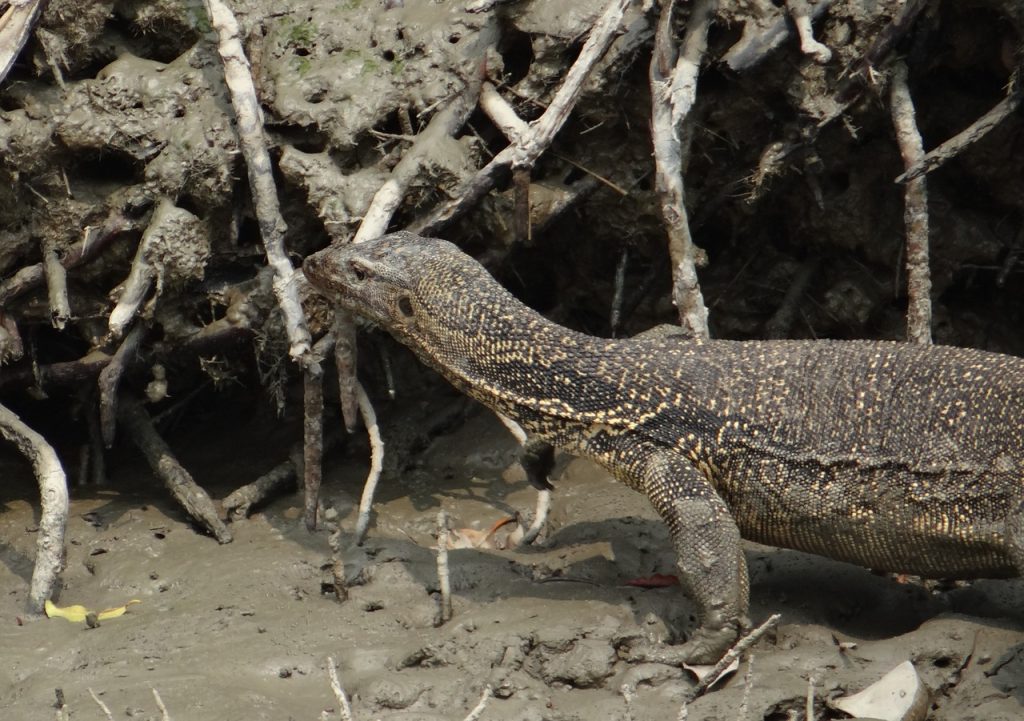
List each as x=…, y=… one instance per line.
x=711, y=563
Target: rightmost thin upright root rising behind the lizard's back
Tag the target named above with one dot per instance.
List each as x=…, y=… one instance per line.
x=919, y=280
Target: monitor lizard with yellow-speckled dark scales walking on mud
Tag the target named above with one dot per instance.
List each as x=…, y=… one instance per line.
x=893, y=456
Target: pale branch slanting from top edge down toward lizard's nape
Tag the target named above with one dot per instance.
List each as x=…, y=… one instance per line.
x=525, y=153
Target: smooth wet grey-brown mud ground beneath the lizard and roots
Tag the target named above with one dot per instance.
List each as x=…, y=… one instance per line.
x=243, y=631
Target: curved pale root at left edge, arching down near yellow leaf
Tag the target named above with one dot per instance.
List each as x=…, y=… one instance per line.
x=54, y=498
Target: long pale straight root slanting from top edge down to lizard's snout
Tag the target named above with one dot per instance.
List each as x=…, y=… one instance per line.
x=265, y=193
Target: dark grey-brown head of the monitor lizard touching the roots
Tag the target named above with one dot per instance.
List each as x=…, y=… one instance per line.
x=401, y=282
